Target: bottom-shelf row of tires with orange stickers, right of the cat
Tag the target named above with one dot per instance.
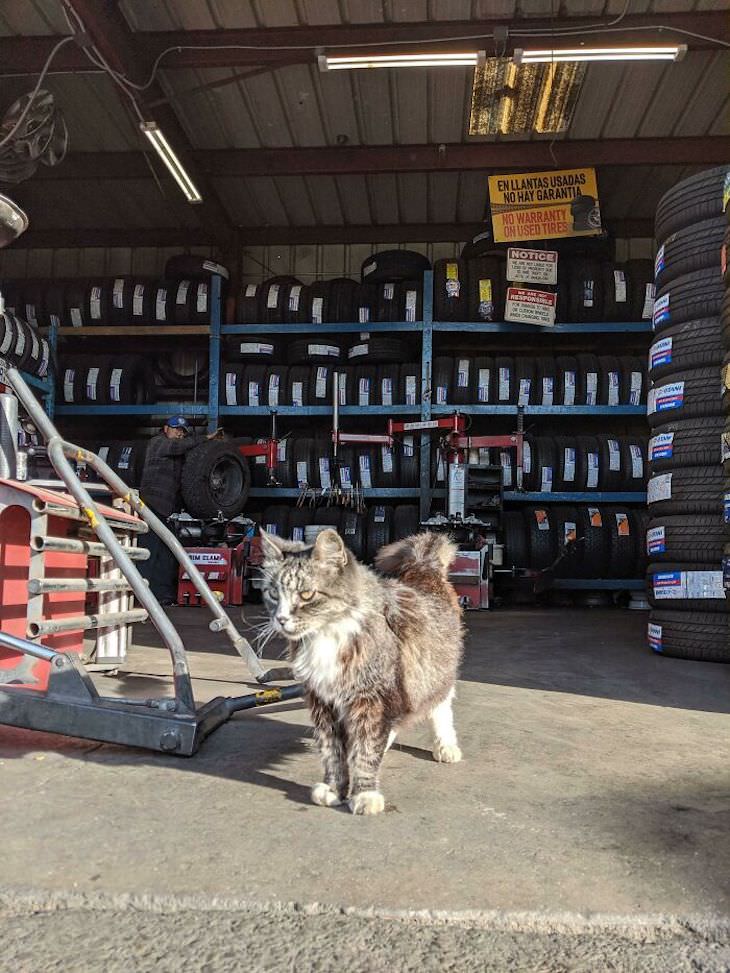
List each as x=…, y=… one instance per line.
x=594, y=541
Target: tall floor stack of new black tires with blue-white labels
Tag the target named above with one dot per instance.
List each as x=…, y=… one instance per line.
x=688, y=493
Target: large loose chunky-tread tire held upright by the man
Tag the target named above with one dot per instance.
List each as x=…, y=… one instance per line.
x=215, y=479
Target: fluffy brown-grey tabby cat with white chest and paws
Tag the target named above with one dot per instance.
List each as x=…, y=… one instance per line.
x=374, y=653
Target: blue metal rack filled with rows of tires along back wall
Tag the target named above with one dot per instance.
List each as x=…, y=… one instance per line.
x=590, y=485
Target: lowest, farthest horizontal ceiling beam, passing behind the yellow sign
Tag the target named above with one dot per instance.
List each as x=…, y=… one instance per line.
x=275, y=236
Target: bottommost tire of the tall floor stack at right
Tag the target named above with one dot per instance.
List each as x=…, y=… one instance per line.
x=701, y=637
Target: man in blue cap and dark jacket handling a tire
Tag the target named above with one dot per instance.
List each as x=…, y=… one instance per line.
x=160, y=490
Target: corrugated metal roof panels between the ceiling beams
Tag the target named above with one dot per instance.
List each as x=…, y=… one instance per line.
x=299, y=106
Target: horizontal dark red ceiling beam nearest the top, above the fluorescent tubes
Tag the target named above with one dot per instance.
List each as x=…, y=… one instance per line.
x=218, y=48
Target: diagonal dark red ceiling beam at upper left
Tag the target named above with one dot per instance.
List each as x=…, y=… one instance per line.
x=112, y=36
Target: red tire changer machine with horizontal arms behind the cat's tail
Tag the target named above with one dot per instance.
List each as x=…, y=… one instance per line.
x=469, y=493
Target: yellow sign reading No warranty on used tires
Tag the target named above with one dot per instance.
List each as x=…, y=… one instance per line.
x=544, y=205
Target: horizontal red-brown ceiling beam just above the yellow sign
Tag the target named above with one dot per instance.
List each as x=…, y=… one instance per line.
x=454, y=157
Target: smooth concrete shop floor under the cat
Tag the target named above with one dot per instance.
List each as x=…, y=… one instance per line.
x=596, y=779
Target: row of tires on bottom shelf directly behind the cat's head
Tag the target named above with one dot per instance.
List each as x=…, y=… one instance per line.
x=364, y=533
